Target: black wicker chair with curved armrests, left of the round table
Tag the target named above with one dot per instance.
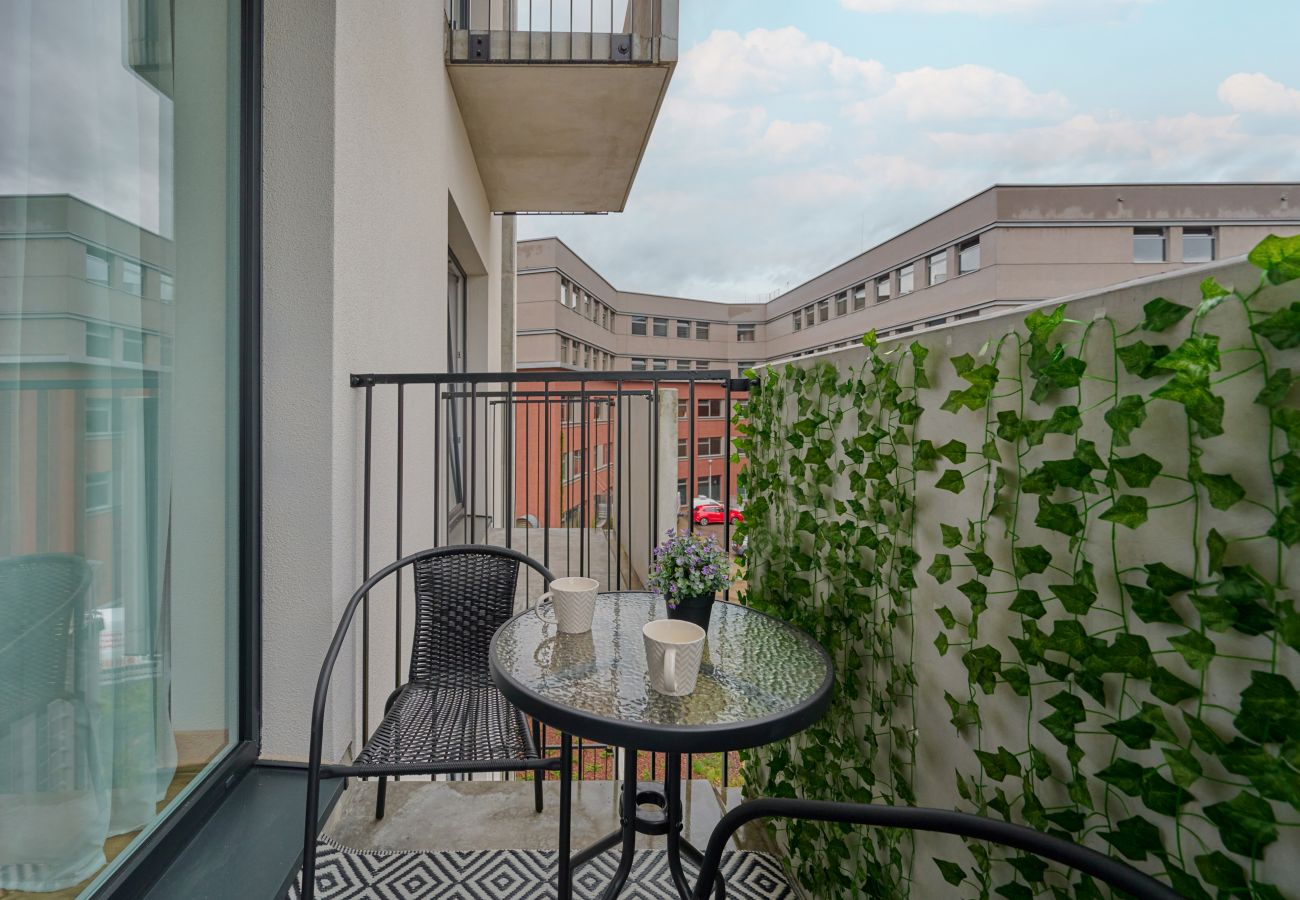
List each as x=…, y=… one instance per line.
x=449, y=717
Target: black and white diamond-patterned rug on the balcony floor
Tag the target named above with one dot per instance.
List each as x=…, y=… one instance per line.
x=348, y=875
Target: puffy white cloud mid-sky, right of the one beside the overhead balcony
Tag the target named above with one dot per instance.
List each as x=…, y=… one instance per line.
x=959, y=94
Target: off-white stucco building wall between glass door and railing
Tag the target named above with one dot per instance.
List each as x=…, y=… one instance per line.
x=369, y=180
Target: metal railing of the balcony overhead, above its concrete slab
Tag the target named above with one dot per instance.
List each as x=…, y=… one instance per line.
x=560, y=31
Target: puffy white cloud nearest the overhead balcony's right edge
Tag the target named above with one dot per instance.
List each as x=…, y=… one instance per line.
x=764, y=62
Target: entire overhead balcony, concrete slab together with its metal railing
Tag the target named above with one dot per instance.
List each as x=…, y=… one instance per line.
x=560, y=98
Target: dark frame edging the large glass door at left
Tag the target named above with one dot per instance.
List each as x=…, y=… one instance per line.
x=132, y=876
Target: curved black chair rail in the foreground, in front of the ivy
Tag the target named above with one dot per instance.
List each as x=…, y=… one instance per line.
x=918, y=819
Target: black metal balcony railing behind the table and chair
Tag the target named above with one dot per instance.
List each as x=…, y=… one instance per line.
x=573, y=469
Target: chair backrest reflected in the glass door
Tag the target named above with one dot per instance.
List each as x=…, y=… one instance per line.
x=41, y=596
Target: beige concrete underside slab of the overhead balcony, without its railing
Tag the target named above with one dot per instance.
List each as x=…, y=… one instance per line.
x=560, y=137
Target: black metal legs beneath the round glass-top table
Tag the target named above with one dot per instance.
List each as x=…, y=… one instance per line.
x=664, y=817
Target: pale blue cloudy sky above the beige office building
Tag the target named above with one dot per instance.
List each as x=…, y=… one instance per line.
x=796, y=136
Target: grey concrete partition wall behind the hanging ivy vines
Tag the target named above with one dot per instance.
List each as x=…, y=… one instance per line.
x=1165, y=538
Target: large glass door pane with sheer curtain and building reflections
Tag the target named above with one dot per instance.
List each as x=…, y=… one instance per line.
x=120, y=423
